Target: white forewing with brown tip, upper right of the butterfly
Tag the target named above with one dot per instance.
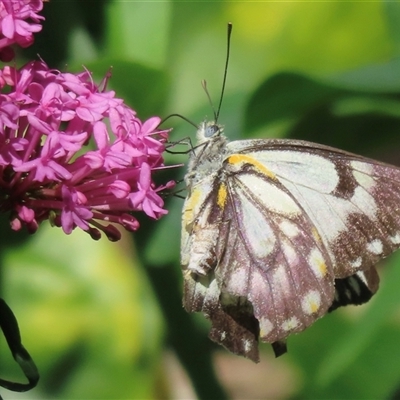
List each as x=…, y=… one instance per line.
x=352, y=201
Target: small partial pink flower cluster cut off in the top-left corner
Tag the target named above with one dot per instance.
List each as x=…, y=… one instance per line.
x=19, y=20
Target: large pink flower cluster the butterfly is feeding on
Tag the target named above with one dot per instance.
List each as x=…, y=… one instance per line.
x=46, y=120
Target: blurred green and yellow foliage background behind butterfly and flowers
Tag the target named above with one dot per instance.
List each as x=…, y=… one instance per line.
x=104, y=320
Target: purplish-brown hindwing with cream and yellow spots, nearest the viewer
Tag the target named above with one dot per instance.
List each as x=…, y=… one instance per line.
x=275, y=259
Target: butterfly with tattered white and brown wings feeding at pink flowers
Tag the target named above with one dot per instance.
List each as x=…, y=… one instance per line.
x=278, y=232
